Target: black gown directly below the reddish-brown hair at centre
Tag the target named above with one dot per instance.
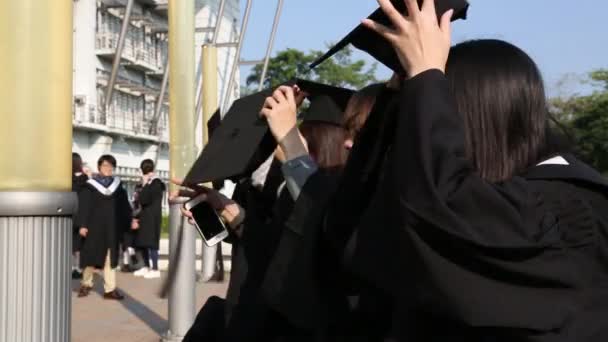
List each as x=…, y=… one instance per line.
x=302, y=280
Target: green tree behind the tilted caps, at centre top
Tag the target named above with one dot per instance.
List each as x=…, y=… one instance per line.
x=341, y=70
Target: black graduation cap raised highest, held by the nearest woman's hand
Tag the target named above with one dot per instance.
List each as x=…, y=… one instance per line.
x=369, y=41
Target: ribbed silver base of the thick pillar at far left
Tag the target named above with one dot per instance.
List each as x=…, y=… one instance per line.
x=35, y=266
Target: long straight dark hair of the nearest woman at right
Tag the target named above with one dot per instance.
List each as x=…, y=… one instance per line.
x=499, y=92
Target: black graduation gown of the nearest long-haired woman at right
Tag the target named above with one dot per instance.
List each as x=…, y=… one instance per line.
x=439, y=254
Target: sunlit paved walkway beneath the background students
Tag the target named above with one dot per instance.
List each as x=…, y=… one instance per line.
x=140, y=317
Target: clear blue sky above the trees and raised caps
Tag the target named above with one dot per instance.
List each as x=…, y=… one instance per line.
x=566, y=38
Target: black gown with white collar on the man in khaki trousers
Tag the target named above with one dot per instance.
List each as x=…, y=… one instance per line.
x=106, y=213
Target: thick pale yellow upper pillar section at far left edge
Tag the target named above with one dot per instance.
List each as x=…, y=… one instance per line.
x=36, y=95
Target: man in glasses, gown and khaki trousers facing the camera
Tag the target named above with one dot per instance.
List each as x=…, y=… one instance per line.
x=104, y=214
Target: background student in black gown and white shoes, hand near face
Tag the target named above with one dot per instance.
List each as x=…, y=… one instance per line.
x=148, y=219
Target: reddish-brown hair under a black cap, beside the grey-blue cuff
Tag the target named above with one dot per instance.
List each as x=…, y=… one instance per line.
x=325, y=143
